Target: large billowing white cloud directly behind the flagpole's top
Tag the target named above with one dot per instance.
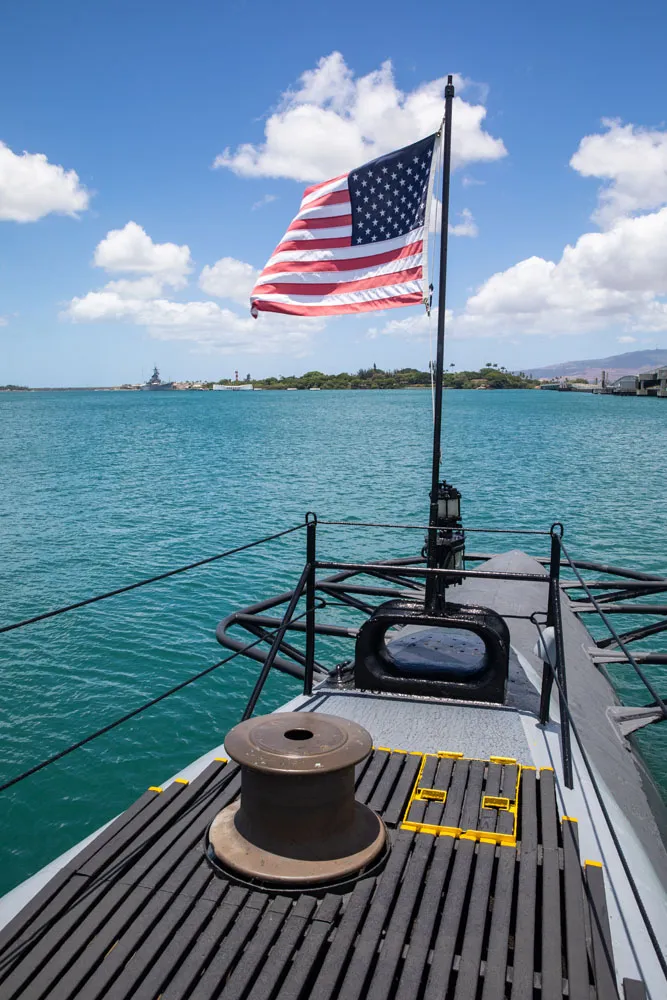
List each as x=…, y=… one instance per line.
x=334, y=121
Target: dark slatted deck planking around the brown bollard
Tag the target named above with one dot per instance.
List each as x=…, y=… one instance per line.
x=139, y=914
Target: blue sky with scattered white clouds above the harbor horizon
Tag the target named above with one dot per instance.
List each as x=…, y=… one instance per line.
x=139, y=100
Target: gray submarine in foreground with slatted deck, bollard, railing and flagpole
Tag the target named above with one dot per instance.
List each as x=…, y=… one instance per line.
x=452, y=806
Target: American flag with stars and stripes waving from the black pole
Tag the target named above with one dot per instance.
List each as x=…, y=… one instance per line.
x=359, y=241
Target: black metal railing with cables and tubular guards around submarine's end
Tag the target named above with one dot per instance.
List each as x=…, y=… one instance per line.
x=404, y=577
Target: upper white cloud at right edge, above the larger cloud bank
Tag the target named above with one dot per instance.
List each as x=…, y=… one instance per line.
x=632, y=161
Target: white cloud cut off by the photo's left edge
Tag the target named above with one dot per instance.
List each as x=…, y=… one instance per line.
x=31, y=187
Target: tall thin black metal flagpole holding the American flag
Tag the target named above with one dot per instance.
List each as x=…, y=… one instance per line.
x=431, y=582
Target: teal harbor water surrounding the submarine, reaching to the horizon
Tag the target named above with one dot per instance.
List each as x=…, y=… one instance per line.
x=100, y=489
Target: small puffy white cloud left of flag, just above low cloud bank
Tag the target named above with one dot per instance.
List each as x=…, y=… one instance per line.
x=131, y=250
